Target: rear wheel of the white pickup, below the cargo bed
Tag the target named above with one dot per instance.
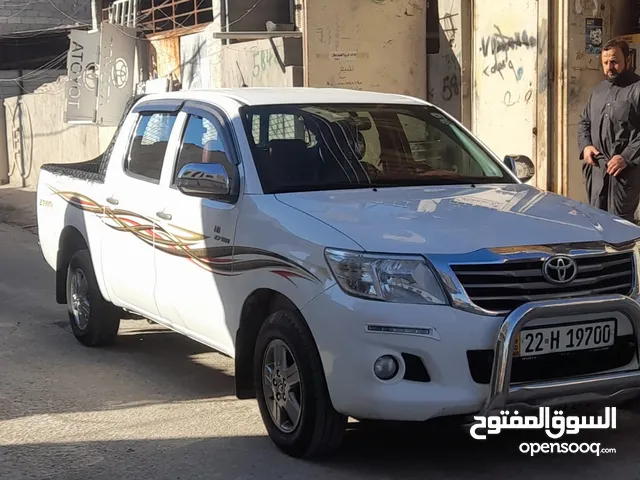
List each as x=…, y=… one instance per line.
x=101, y=320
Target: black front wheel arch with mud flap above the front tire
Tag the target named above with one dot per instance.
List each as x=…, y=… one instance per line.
x=256, y=308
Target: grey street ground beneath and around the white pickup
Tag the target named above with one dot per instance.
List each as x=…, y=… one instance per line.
x=159, y=406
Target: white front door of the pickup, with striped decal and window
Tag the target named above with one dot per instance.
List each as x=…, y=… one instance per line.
x=195, y=237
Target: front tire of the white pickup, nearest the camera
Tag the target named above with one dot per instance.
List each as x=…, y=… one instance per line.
x=320, y=429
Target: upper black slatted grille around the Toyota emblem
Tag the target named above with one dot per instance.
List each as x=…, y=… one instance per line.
x=503, y=287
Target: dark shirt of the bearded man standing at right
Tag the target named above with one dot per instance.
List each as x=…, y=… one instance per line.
x=611, y=119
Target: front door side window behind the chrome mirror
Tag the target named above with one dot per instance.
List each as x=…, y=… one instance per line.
x=201, y=143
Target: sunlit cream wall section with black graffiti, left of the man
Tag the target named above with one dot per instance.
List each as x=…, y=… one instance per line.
x=491, y=73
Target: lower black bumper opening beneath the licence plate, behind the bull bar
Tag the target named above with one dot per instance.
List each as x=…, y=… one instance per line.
x=557, y=365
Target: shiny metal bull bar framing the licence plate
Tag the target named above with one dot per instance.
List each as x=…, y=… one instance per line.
x=603, y=386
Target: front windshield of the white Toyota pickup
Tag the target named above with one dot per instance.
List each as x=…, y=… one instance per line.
x=327, y=147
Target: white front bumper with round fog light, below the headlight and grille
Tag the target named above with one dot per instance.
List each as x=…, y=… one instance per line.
x=348, y=348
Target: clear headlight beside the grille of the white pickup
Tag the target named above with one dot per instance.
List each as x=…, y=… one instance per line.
x=400, y=279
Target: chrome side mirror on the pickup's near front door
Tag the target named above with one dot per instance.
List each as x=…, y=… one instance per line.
x=209, y=180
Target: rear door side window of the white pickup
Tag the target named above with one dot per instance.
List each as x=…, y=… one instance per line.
x=149, y=144
